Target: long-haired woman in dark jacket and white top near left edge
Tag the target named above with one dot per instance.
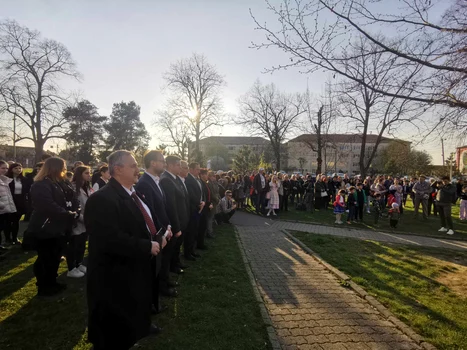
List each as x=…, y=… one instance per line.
x=19, y=188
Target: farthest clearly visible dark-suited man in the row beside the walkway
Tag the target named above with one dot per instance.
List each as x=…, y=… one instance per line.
x=195, y=192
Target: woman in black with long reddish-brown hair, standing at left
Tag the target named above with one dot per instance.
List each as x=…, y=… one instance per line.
x=55, y=208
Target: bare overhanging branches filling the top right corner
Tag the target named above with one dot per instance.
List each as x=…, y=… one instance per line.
x=319, y=34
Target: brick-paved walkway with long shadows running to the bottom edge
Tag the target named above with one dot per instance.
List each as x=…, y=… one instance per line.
x=308, y=307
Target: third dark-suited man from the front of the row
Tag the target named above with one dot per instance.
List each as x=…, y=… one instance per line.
x=176, y=208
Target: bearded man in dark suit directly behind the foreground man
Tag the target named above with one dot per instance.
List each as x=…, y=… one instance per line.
x=149, y=186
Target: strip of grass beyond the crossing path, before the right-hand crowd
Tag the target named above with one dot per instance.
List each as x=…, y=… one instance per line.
x=407, y=223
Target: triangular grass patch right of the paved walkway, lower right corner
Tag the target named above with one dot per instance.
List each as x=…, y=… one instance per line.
x=425, y=288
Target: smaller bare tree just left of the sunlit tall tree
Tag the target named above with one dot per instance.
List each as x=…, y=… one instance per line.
x=176, y=128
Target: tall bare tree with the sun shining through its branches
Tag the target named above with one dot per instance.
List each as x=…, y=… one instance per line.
x=196, y=102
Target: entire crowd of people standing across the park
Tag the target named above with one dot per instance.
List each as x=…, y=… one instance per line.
x=142, y=227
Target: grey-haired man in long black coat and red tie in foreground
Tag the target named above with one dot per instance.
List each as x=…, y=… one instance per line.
x=123, y=237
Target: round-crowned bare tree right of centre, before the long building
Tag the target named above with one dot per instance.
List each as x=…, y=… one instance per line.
x=267, y=112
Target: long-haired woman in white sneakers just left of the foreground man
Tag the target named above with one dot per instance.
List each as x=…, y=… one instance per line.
x=77, y=242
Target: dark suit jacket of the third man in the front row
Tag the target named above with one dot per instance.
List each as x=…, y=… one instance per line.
x=177, y=204
